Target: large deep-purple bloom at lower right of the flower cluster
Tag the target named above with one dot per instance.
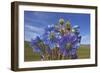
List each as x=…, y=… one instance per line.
x=68, y=42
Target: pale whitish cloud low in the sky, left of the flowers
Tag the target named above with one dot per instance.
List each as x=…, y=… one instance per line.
x=31, y=32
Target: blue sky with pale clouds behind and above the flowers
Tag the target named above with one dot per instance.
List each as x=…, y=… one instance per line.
x=35, y=22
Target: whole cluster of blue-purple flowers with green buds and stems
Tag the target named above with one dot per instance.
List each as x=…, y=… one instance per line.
x=59, y=41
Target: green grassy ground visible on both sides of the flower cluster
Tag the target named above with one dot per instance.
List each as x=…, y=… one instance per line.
x=83, y=52
